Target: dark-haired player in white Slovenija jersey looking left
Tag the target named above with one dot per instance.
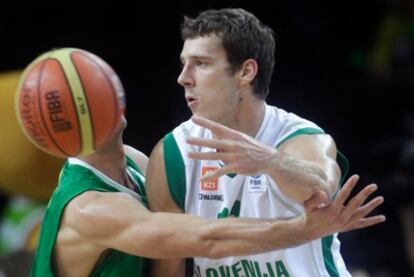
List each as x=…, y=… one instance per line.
x=267, y=166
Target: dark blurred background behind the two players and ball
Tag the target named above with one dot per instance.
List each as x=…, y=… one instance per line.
x=348, y=66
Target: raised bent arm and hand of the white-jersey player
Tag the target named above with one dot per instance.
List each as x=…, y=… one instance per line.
x=300, y=167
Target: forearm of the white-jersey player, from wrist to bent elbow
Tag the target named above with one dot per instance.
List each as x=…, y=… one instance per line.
x=298, y=179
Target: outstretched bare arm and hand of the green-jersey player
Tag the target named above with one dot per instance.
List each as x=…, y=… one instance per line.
x=118, y=221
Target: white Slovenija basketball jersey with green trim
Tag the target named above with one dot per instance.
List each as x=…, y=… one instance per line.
x=248, y=197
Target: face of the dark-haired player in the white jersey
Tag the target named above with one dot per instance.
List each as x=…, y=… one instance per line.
x=210, y=88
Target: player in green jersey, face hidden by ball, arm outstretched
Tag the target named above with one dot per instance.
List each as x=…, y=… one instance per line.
x=97, y=222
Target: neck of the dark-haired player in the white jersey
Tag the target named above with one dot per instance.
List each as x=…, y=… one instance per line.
x=248, y=117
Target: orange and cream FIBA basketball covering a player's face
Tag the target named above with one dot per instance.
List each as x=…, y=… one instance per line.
x=69, y=102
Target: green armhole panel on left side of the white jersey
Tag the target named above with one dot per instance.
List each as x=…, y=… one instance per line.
x=175, y=170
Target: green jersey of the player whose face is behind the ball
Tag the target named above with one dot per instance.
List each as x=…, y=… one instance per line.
x=77, y=177
